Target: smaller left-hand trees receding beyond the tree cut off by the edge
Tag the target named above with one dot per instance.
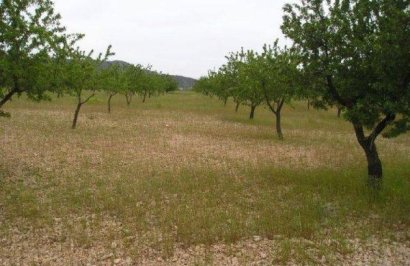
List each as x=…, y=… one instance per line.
x=86, y=76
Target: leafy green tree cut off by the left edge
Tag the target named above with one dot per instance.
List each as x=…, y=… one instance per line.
x=32, y=46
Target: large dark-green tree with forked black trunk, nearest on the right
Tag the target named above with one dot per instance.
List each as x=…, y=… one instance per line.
x=360, y=51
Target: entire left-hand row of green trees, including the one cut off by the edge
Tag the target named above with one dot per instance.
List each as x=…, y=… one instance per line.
x=38, y=58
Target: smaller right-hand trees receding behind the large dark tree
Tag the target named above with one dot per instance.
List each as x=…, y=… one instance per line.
x=271, y=77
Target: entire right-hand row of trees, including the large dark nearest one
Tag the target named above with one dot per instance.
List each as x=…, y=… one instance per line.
x=352, y=54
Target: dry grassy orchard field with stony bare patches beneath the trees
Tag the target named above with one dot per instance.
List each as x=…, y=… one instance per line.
x=182, y=179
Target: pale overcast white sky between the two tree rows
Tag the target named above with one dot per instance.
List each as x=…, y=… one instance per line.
x=184, y=37
